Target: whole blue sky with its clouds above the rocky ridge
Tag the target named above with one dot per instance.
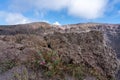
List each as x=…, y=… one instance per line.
x=59, y=11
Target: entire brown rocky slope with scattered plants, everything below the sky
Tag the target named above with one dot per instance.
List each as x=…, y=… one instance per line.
x=40, y=51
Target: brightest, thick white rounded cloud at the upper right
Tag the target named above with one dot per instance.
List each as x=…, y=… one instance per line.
x=88, y=9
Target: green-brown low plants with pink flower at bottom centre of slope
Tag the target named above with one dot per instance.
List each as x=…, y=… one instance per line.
x=53, y=66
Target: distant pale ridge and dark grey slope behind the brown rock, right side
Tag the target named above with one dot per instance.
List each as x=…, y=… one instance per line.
x=111, y=33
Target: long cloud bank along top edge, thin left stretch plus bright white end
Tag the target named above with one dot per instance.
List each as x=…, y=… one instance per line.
x=88, y=9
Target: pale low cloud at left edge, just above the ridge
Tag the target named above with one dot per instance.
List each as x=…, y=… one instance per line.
x=13, y=18
